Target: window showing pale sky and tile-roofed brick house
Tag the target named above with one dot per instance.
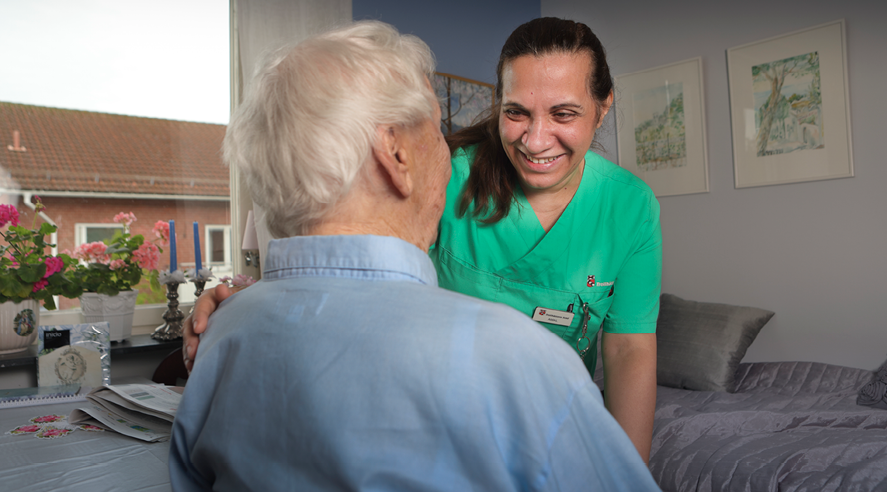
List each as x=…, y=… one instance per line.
x=134, y=125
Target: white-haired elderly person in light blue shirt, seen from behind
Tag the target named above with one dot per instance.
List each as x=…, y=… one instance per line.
x=346, y=367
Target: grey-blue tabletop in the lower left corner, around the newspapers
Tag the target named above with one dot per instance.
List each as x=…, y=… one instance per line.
x=80, y=461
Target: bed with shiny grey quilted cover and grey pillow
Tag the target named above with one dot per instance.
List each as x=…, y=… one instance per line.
x=722, y=425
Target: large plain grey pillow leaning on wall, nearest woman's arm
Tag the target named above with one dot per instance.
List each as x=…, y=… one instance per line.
x=700, y=344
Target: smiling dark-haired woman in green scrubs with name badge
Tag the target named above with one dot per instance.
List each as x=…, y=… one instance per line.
x=537, y=221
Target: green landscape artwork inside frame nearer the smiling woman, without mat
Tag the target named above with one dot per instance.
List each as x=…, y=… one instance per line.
x=660, y=135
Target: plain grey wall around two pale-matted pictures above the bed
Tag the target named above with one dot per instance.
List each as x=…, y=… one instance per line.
x=815, y=253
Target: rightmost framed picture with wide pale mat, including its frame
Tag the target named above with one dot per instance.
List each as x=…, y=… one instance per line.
x=790, y=108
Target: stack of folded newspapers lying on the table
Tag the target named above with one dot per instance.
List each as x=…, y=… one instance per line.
x=142, y=411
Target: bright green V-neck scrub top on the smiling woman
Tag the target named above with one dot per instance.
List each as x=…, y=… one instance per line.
x=604, y=250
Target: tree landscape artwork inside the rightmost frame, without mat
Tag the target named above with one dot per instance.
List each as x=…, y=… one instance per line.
x=788, y=105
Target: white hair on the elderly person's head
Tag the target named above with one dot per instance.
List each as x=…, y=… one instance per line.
x=308, y=123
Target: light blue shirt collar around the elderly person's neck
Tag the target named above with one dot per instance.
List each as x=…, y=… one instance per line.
x=363, y=252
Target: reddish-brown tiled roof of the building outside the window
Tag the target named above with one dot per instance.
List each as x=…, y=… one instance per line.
x=82, y=151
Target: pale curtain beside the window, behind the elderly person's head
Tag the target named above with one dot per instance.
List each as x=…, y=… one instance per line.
x=260, y=26
